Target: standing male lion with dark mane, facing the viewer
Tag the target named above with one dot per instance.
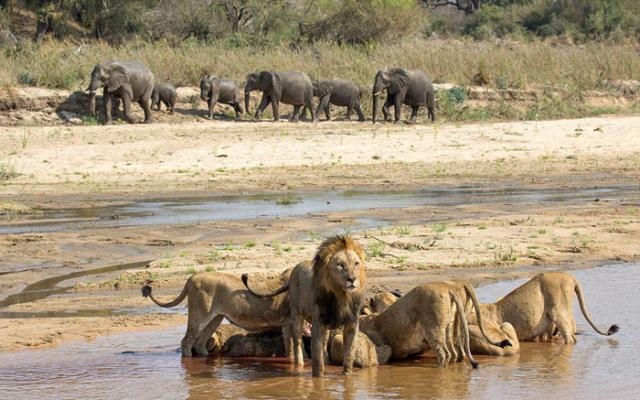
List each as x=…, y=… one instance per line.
x=329, y=291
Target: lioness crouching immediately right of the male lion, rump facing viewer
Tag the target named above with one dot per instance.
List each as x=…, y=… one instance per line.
x=423, y=318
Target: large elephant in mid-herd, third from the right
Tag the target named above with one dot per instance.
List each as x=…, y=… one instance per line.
x=288, y=87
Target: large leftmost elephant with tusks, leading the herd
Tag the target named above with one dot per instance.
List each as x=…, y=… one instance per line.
x=127, y=81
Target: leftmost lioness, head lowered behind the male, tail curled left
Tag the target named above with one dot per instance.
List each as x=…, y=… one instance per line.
x=214, y=296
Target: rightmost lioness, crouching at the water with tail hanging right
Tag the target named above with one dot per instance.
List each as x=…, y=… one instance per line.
x=543, y=306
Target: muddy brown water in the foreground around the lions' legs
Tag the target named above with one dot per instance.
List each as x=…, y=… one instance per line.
x=148, y=365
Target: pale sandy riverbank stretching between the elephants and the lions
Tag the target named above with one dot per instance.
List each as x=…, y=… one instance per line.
x=64, y=167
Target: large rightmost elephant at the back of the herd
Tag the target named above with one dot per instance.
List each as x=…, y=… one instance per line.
x=410, y=87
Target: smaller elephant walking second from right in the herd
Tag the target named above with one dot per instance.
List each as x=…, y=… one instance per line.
x=339, y=92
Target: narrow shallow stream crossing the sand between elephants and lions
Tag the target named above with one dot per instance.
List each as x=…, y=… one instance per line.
x=231, y=208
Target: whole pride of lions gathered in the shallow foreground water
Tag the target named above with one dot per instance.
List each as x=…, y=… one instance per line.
x=328, y=293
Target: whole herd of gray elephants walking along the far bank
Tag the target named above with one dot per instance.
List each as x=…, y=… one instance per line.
x=130, y=82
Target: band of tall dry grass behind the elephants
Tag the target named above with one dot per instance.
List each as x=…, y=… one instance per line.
x=463, y=62
